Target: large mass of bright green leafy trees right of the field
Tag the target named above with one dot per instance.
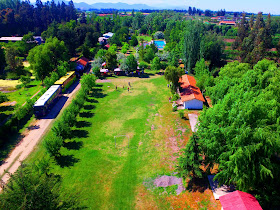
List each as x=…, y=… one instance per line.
x=240, y=134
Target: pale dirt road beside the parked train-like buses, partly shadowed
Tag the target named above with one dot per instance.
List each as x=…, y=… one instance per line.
x=34, y=134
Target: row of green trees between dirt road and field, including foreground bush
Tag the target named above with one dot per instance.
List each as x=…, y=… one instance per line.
x=34, y=186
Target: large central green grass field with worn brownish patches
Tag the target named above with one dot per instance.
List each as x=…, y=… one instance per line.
x=109, y=177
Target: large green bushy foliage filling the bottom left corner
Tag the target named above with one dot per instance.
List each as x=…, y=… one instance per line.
x=35, y=187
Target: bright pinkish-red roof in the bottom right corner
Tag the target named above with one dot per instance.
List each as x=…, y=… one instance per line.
x=239, y=200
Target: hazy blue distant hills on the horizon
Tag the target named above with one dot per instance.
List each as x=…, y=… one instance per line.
x=85, y=6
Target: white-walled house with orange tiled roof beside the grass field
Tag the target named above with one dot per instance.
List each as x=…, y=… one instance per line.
x=191, y=95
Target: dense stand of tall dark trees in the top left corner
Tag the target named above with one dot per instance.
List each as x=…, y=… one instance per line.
x=20, y=17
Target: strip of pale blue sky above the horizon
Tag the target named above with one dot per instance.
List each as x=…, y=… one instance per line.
x=266, y=6
